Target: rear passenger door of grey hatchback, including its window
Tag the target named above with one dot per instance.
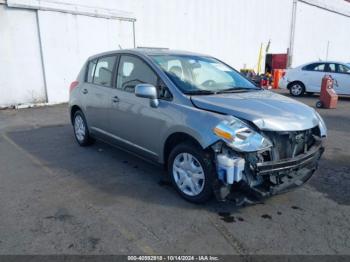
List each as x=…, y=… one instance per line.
x=97, y=92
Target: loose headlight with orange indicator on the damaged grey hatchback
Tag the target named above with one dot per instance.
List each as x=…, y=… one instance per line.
x=239, y=136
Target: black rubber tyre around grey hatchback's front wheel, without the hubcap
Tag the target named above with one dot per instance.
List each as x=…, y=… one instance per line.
x=206, y=161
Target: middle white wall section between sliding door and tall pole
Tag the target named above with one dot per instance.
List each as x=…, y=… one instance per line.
x=229, y=30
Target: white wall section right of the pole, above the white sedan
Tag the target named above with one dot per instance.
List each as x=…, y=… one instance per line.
x=315, y=28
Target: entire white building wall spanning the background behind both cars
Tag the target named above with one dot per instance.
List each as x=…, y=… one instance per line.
x=229, y=30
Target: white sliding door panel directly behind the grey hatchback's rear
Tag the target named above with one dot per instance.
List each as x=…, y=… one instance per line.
x=68, y=40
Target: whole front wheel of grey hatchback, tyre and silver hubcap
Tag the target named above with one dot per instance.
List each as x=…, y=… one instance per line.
x=192, y=172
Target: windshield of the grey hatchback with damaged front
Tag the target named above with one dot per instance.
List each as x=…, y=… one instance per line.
x=198, y=74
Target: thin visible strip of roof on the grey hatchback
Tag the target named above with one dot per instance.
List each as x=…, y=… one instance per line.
x=148, y=52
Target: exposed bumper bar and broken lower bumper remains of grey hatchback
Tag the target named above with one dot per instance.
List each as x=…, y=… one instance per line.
x=264, y=179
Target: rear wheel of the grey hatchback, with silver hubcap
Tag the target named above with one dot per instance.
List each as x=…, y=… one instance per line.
x=81, y=130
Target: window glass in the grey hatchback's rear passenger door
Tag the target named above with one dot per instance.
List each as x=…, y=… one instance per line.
x=104, y=71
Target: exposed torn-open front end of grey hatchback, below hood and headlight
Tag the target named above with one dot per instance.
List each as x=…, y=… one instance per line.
x=251, y=176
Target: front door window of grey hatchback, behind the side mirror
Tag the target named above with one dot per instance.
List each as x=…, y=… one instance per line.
x=133, y=71
